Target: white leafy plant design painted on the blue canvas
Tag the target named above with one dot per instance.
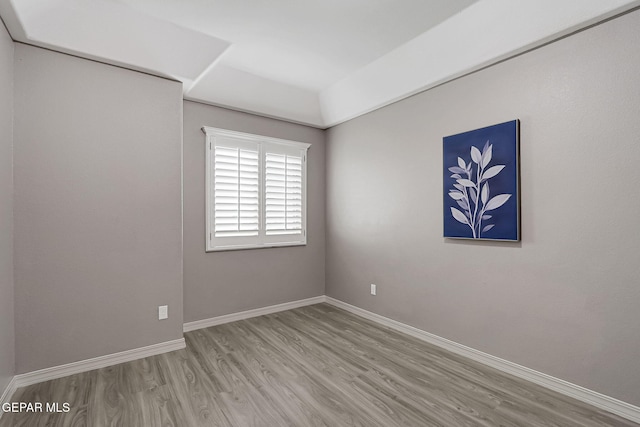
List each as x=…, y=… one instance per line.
x=472, y=193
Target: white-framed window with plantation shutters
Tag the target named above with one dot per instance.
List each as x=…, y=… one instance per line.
x=255, y=191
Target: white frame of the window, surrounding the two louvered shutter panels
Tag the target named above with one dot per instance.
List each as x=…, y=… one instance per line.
x=264, y=144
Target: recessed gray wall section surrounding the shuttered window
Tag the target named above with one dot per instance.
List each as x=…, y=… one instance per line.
x=219, y=283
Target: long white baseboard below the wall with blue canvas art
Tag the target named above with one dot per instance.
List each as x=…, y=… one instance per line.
x=577, y=392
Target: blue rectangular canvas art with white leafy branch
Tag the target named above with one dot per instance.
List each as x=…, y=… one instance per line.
x=481, y=189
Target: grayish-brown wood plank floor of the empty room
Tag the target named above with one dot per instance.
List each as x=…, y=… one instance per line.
x=312, y=366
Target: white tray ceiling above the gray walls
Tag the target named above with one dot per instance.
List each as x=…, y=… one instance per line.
x=317, y=62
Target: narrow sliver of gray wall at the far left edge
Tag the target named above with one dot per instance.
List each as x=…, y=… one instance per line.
x=6, y=209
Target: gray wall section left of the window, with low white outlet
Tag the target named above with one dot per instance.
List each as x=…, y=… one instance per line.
x=97, y=209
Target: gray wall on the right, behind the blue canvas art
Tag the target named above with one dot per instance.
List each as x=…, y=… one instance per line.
x=565, y=300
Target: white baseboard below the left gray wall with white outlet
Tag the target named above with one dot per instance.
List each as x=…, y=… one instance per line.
x=35, y=377
